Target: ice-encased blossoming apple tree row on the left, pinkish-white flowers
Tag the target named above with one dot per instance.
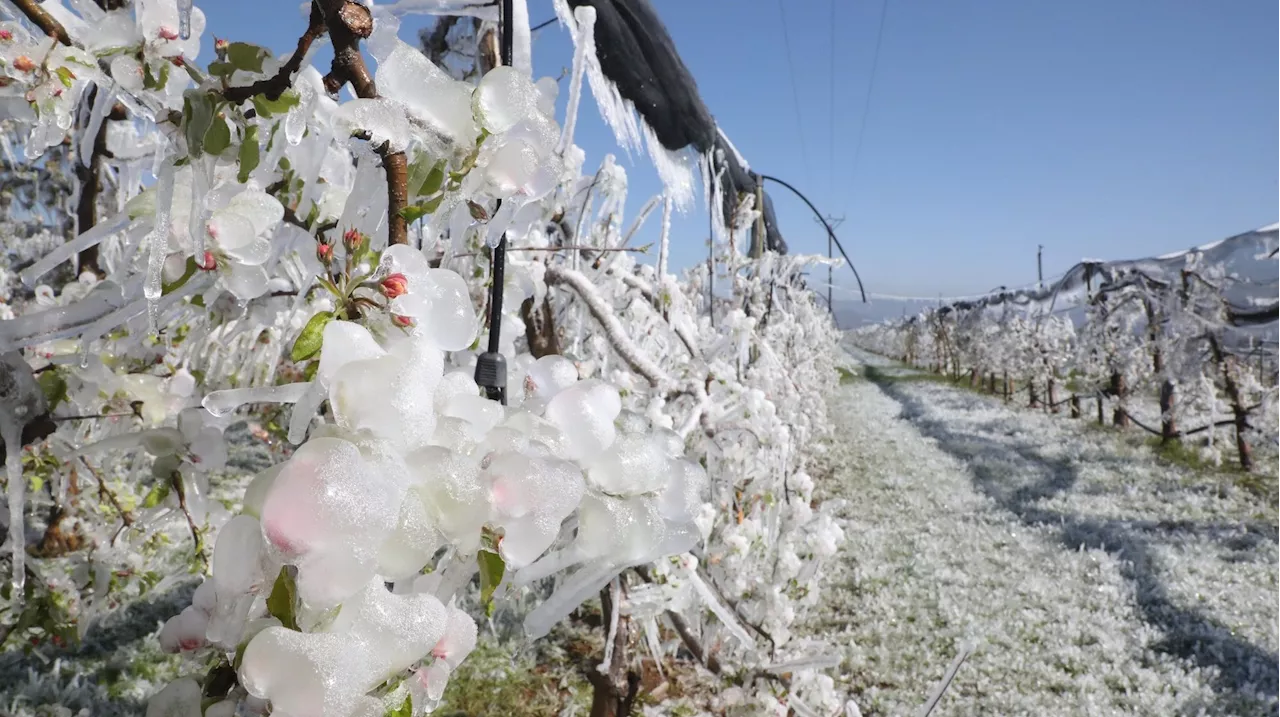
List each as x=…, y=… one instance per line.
x=273, y=258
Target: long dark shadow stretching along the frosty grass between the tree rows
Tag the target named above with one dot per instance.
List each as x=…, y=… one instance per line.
x=1247, y=675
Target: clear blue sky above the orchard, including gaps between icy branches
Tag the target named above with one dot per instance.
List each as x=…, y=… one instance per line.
x=1098, y=129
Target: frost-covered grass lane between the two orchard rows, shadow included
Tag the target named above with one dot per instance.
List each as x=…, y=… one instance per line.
x=1092, y=579
